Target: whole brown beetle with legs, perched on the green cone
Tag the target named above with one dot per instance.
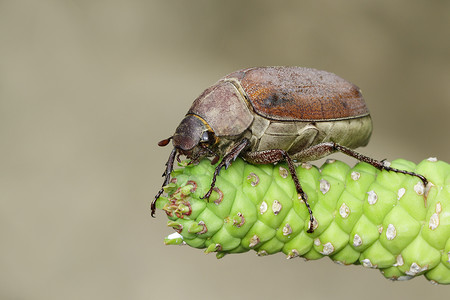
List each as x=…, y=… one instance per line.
x=269, y=114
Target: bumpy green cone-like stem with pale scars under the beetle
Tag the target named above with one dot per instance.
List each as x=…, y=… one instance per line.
x=382, y=220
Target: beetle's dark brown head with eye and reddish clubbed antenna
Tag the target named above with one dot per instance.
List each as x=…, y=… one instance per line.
x=193, y=138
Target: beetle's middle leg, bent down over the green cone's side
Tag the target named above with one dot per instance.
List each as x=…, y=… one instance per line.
x=276, y=155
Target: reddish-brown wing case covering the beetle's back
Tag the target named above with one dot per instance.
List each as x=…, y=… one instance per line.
x=300, y=94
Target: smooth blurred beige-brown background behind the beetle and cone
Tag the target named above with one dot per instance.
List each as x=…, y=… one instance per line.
x=88, y=87
